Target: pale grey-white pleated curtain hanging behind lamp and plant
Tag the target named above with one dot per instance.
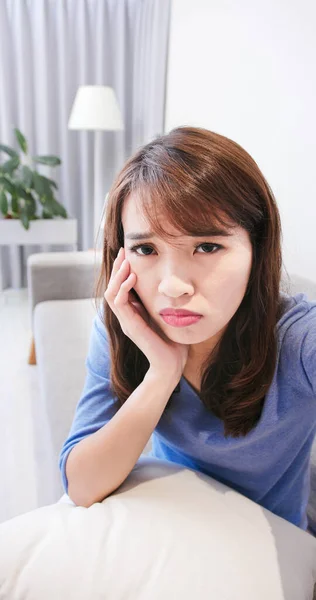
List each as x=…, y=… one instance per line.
x=50, y=47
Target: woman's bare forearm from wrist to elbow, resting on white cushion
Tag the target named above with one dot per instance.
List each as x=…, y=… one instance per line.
x=100, y=463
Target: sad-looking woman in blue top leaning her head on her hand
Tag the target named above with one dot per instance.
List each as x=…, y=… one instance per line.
x=192, y=225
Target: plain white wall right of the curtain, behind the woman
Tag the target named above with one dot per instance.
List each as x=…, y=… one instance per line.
x=246, y=70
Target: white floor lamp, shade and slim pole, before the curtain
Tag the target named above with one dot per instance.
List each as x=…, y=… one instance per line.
x=95, y=108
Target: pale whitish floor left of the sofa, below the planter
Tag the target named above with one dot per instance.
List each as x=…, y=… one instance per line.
x=19, y=395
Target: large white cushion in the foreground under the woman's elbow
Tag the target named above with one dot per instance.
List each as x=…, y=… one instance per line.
x=167, y=533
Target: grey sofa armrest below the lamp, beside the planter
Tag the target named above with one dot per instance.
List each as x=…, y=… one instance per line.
x=62, y=276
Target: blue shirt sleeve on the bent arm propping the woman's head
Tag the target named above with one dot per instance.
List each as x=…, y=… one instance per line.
x=97, y=404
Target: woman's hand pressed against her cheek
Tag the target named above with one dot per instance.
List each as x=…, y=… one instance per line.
x=164, y=355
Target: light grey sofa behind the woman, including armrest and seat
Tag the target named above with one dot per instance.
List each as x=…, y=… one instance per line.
x=62, y=309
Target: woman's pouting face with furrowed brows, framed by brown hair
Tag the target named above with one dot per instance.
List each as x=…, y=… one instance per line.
x=207, y=275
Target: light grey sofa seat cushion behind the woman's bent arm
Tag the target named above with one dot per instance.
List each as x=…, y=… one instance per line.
x=62, y=330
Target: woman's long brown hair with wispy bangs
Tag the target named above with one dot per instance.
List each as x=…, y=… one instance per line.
x=194, y=177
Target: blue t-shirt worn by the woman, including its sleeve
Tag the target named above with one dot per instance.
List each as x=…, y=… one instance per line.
x=270, y=465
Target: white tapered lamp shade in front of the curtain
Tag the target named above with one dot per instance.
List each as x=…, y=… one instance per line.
x=95, y=107
